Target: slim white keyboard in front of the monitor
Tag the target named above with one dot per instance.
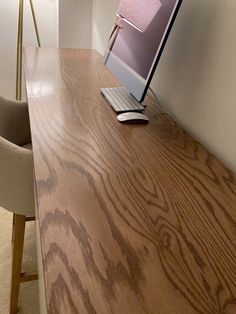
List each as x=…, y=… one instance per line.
x=121, y=100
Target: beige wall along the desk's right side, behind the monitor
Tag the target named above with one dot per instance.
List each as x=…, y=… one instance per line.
x=196, y=78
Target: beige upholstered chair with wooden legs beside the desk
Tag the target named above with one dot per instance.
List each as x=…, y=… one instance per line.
x=16, y=182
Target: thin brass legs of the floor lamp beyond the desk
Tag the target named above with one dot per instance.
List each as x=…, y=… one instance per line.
x=20, y=44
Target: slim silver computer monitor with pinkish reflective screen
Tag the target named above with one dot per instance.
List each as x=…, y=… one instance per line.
x=137, y=41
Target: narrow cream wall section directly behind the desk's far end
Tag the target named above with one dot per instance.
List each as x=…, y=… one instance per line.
x=75, y=23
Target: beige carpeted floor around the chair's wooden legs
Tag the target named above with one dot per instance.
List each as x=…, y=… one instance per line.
x=28, y=299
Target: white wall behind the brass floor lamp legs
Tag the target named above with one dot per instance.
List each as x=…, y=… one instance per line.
x=46, y=13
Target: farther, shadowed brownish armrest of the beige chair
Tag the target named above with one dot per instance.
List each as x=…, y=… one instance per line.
x=14, y=121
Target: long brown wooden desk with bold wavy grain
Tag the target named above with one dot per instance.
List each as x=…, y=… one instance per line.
x=133, y=218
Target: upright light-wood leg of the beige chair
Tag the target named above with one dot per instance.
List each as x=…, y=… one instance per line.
x=18, y=243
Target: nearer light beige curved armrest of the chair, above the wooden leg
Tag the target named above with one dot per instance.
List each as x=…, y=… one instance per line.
x=16, y=179
